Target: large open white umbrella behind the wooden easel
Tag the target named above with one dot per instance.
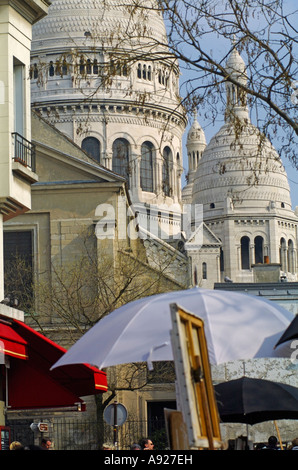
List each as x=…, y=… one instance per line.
x=237, y=326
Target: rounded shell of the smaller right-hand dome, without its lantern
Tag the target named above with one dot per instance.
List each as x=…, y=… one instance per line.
x=245, y=169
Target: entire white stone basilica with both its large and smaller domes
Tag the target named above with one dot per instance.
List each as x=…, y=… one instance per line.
x=126, y=114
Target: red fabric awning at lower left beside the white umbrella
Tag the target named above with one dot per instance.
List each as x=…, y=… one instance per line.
x=31, y=383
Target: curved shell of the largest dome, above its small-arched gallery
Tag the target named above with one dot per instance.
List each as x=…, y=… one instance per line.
x=79, y=23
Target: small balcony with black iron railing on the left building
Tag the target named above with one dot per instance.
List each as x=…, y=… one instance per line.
x=24, y=158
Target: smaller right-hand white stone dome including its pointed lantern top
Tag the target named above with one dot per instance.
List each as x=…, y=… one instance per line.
x=239, y=168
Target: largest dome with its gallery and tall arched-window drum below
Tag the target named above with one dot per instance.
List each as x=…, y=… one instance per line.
x=102, y=73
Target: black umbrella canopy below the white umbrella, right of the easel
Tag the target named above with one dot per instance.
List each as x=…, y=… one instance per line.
x=251, y=401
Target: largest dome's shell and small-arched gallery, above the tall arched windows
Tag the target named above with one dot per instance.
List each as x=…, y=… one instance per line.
x=82, y=45
